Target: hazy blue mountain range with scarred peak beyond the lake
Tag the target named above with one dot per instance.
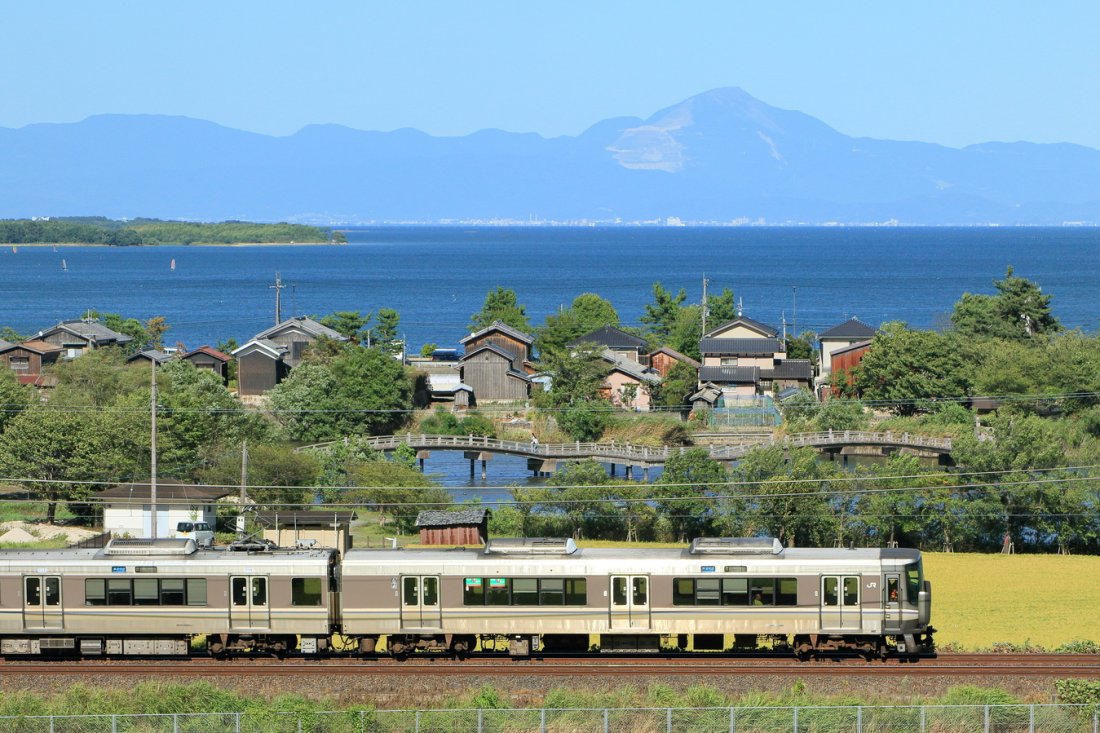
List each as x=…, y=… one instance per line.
x=721, y=157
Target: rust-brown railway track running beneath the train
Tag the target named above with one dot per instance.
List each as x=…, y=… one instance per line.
x=952, y=665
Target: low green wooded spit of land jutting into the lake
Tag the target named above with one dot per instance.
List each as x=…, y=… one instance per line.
x=101, y=231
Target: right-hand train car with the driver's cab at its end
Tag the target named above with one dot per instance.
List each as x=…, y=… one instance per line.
x=547, y=596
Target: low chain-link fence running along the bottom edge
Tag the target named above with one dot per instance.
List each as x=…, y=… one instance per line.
x=915, y=719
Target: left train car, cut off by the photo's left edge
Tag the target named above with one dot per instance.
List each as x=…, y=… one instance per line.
x=144, y=597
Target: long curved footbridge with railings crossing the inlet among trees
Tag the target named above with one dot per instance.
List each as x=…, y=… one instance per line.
x=544, y=457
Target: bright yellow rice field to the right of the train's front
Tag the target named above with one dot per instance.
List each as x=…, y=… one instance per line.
x=1048, y=600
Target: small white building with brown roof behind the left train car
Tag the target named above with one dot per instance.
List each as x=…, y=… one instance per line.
x=128, y=508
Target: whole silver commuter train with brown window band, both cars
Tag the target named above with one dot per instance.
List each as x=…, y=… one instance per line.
x=521, y=596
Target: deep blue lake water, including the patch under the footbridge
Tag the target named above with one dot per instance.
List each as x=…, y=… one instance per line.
x=436, y=278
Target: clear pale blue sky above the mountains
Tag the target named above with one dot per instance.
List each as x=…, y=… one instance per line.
x=953, y=73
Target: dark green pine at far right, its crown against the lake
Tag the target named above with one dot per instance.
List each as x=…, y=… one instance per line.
x=1019, y=312
